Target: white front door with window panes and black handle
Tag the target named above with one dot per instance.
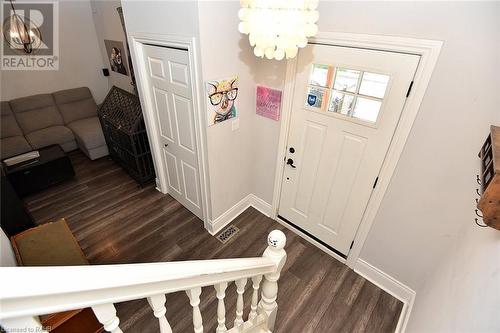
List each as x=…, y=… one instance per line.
x=346, y=105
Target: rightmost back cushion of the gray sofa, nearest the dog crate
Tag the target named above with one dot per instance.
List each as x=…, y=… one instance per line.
x=75, y=104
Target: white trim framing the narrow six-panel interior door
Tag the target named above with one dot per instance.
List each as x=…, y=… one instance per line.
x=136, y=42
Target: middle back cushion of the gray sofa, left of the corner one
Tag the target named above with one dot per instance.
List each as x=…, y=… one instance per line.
x=36, y=112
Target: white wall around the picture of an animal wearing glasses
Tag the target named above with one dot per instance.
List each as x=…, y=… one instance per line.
x=230, y=153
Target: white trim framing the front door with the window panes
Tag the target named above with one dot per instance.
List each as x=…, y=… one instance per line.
x=429, y=51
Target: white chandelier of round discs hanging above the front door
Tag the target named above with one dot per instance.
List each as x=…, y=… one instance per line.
x=278, y=28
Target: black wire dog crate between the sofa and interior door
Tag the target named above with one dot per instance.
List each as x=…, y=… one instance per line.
x=125, y=132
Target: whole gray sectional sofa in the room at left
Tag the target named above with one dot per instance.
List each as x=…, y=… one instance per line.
x=67, y=118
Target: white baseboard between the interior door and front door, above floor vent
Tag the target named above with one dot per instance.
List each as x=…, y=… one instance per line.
x=223, y=220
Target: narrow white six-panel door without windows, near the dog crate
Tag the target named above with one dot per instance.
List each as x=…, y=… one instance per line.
x=168, y=75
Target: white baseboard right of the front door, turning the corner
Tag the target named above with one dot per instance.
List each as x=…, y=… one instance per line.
x=390, y=285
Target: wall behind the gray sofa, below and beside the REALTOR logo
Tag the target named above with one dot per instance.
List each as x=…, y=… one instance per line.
x=80, y=60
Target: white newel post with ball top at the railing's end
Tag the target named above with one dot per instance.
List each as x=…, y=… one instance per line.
x=275, y=250
